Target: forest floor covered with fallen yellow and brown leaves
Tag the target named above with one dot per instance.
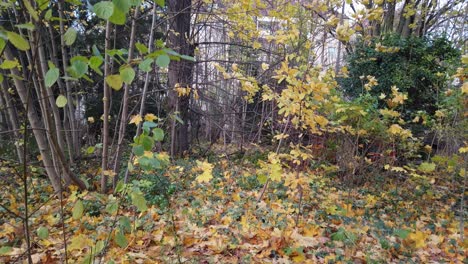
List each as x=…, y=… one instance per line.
x=323, y=218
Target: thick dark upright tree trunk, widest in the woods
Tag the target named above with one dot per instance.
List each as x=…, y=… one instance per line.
x=180, y=72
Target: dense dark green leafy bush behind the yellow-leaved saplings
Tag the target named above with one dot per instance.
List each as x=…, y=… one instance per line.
x=420, y=67
